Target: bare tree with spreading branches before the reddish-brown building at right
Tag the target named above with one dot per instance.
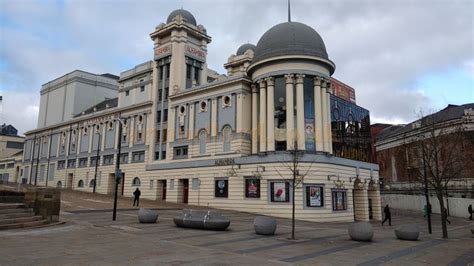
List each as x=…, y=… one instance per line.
x=438, y=149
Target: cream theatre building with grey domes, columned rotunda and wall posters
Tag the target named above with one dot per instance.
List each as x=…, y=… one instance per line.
x=191, y=135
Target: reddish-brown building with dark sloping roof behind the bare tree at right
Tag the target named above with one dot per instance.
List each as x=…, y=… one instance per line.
x=398, y=157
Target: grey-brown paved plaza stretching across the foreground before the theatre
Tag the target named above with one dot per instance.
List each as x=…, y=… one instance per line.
x=90, y=237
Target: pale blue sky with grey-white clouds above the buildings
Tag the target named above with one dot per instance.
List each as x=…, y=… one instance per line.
x=401, y=56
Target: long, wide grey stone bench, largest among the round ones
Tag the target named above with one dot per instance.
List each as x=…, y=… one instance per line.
x=202, y=220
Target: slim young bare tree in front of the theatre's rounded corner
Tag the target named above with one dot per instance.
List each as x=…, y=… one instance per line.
x=296, y=178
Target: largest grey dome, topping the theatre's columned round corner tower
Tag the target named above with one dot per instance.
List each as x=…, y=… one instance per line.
x=290, y=38
